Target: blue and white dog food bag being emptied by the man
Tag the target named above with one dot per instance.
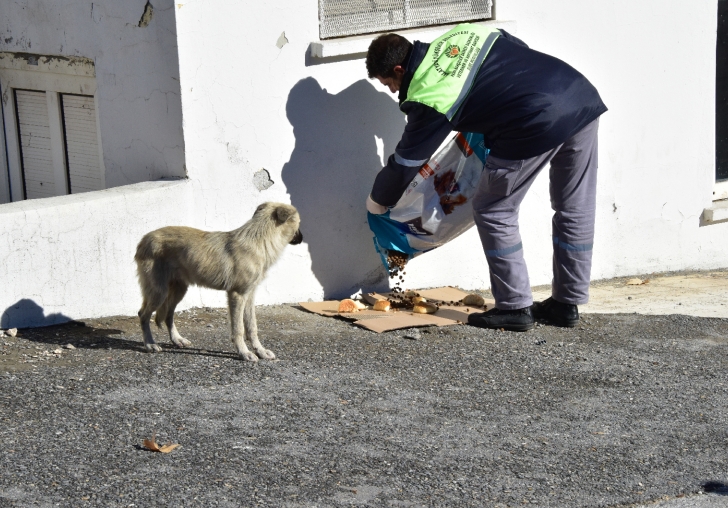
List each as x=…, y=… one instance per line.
x=436, y=206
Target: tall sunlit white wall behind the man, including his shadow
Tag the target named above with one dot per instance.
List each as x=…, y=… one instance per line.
x=314, y=127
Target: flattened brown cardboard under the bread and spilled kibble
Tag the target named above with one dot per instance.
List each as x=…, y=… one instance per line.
x=445, y=316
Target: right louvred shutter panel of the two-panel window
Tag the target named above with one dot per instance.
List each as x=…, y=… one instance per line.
x=82, y=149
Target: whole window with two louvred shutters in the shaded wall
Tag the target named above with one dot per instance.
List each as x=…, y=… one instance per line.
x=51, y=127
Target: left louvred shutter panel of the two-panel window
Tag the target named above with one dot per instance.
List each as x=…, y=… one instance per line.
x=35, y=144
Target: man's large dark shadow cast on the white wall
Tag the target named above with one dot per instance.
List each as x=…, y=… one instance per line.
x=330, y=174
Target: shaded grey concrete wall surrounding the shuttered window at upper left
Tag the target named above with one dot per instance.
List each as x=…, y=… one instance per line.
x=137, y=75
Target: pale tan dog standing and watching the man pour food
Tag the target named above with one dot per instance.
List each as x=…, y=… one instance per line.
x=172, y=258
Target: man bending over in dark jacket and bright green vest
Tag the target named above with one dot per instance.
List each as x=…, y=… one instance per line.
x=533, y=110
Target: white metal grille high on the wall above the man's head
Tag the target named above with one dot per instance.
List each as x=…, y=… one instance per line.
x=338, y=18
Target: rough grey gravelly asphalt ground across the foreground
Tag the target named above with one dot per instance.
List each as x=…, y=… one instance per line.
x=622, y=410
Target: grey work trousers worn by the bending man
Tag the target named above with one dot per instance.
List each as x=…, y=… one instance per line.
x=573, y=182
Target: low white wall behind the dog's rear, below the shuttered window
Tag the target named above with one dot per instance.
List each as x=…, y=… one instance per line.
x=70, y=257
